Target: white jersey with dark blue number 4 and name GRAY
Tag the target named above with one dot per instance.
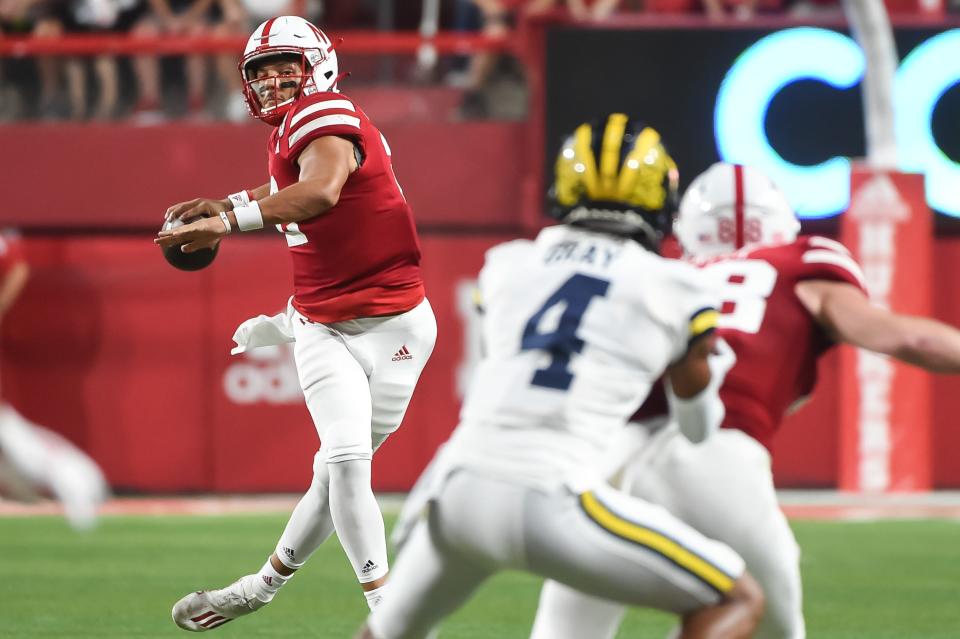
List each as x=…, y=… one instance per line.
x=577, y=326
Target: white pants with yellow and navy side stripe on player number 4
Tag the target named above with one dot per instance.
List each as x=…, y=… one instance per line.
x=602, y=541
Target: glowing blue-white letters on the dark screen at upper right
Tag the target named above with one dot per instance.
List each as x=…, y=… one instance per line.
x=777, y=60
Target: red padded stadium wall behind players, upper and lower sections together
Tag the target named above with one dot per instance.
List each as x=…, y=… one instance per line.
x=130, y=358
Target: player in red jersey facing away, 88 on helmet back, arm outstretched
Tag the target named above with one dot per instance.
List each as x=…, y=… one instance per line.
x=787, y=300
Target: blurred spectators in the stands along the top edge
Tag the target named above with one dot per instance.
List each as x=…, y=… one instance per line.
x=147, y=89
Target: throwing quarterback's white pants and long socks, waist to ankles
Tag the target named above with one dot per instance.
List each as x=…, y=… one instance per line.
x=357, y=377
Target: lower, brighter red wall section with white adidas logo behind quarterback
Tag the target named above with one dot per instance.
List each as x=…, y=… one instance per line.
x=130, y=359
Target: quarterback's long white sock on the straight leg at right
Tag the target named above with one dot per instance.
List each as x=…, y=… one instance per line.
x=357, y=518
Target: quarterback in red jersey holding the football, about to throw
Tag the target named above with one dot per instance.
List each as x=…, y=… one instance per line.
x=358, y=299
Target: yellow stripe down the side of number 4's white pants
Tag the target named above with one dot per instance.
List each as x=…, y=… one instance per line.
x=679, y=555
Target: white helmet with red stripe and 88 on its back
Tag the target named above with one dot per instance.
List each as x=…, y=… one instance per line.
x=730, y=206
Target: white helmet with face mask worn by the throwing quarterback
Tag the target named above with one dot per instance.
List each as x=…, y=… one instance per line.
x=289, y=35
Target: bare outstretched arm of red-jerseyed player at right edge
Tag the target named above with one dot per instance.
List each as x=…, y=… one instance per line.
x=847, y=315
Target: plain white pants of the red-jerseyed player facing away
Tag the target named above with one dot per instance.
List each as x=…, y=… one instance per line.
x=723, y=488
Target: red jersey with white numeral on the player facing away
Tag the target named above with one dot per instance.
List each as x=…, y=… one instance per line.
x=776, y=340
